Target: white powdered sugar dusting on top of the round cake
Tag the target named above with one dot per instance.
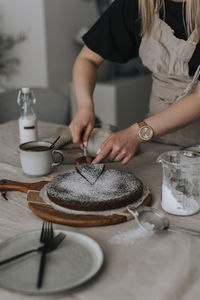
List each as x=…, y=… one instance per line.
x=72, y=185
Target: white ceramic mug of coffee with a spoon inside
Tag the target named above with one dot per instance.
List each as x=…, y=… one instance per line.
x=37, y=158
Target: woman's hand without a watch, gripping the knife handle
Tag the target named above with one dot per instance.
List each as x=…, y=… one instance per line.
x=83, y=123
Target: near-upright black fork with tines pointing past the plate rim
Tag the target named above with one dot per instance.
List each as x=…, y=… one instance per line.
x=45, y=237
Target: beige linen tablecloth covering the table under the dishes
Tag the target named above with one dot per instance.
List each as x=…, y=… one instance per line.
x=165, y=267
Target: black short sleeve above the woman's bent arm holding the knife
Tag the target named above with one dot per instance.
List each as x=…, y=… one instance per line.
x=114, y=35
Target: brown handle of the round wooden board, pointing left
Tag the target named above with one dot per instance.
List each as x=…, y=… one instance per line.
x=9, y=185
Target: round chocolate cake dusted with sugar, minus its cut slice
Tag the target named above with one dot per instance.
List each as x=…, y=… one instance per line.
x=112, y=190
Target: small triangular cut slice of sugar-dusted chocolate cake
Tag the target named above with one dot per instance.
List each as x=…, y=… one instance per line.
x=91, y=172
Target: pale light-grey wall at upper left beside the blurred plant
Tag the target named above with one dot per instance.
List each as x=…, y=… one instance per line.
x=26, y=16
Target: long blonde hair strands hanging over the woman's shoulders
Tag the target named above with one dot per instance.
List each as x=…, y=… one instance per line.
x=148, y=8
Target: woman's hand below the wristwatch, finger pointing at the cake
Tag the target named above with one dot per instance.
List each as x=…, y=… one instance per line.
x=120, y=146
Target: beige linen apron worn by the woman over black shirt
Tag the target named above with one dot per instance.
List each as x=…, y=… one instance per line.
x=167, y=57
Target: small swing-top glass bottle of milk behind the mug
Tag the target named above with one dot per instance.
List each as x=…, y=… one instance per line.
x=27, y=120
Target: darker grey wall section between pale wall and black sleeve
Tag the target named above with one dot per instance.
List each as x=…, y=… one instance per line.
x=64, y=18
